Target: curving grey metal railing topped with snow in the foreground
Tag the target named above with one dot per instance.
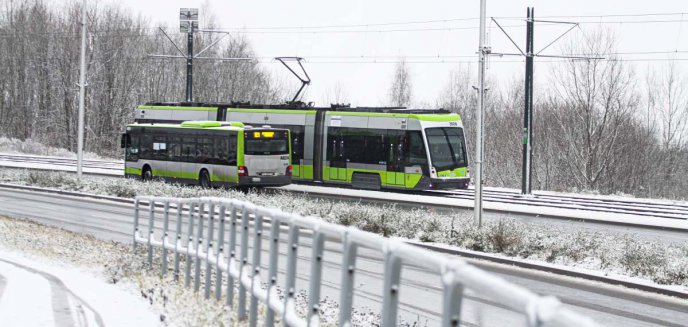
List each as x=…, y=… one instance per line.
x=242, y=220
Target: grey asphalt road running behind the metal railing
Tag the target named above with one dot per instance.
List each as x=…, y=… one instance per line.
x=420, y=294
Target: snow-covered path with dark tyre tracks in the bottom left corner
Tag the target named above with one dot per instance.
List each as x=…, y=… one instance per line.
x=34, y=293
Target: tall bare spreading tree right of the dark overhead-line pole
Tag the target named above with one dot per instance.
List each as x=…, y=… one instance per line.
x=598, y=99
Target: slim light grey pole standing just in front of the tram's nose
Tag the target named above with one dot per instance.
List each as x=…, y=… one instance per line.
x=483, y=51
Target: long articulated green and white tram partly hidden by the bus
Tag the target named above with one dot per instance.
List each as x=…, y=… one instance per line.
x=371, y=148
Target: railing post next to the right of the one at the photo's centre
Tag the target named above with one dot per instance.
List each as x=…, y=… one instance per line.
x=390, y=300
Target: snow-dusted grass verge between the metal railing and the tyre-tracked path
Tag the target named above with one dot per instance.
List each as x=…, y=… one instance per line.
x=91, y=267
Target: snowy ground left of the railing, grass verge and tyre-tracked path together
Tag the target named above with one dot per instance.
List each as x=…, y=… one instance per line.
x=104, y=276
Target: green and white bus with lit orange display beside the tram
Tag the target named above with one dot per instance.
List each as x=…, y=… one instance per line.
x=208, y=153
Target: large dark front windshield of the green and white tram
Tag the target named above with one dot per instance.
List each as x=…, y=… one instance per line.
x=447, y=147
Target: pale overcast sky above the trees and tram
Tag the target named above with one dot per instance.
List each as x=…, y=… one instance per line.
x=354, y=44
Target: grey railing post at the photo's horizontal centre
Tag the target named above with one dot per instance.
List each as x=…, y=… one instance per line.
x=349, y=250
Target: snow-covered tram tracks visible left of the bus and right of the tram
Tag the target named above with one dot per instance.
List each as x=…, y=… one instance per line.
x=670, y=210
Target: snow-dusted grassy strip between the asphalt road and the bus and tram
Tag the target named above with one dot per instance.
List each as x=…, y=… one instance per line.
x=615, y=254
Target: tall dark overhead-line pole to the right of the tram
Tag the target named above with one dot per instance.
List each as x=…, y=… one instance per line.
x=526, y=168
